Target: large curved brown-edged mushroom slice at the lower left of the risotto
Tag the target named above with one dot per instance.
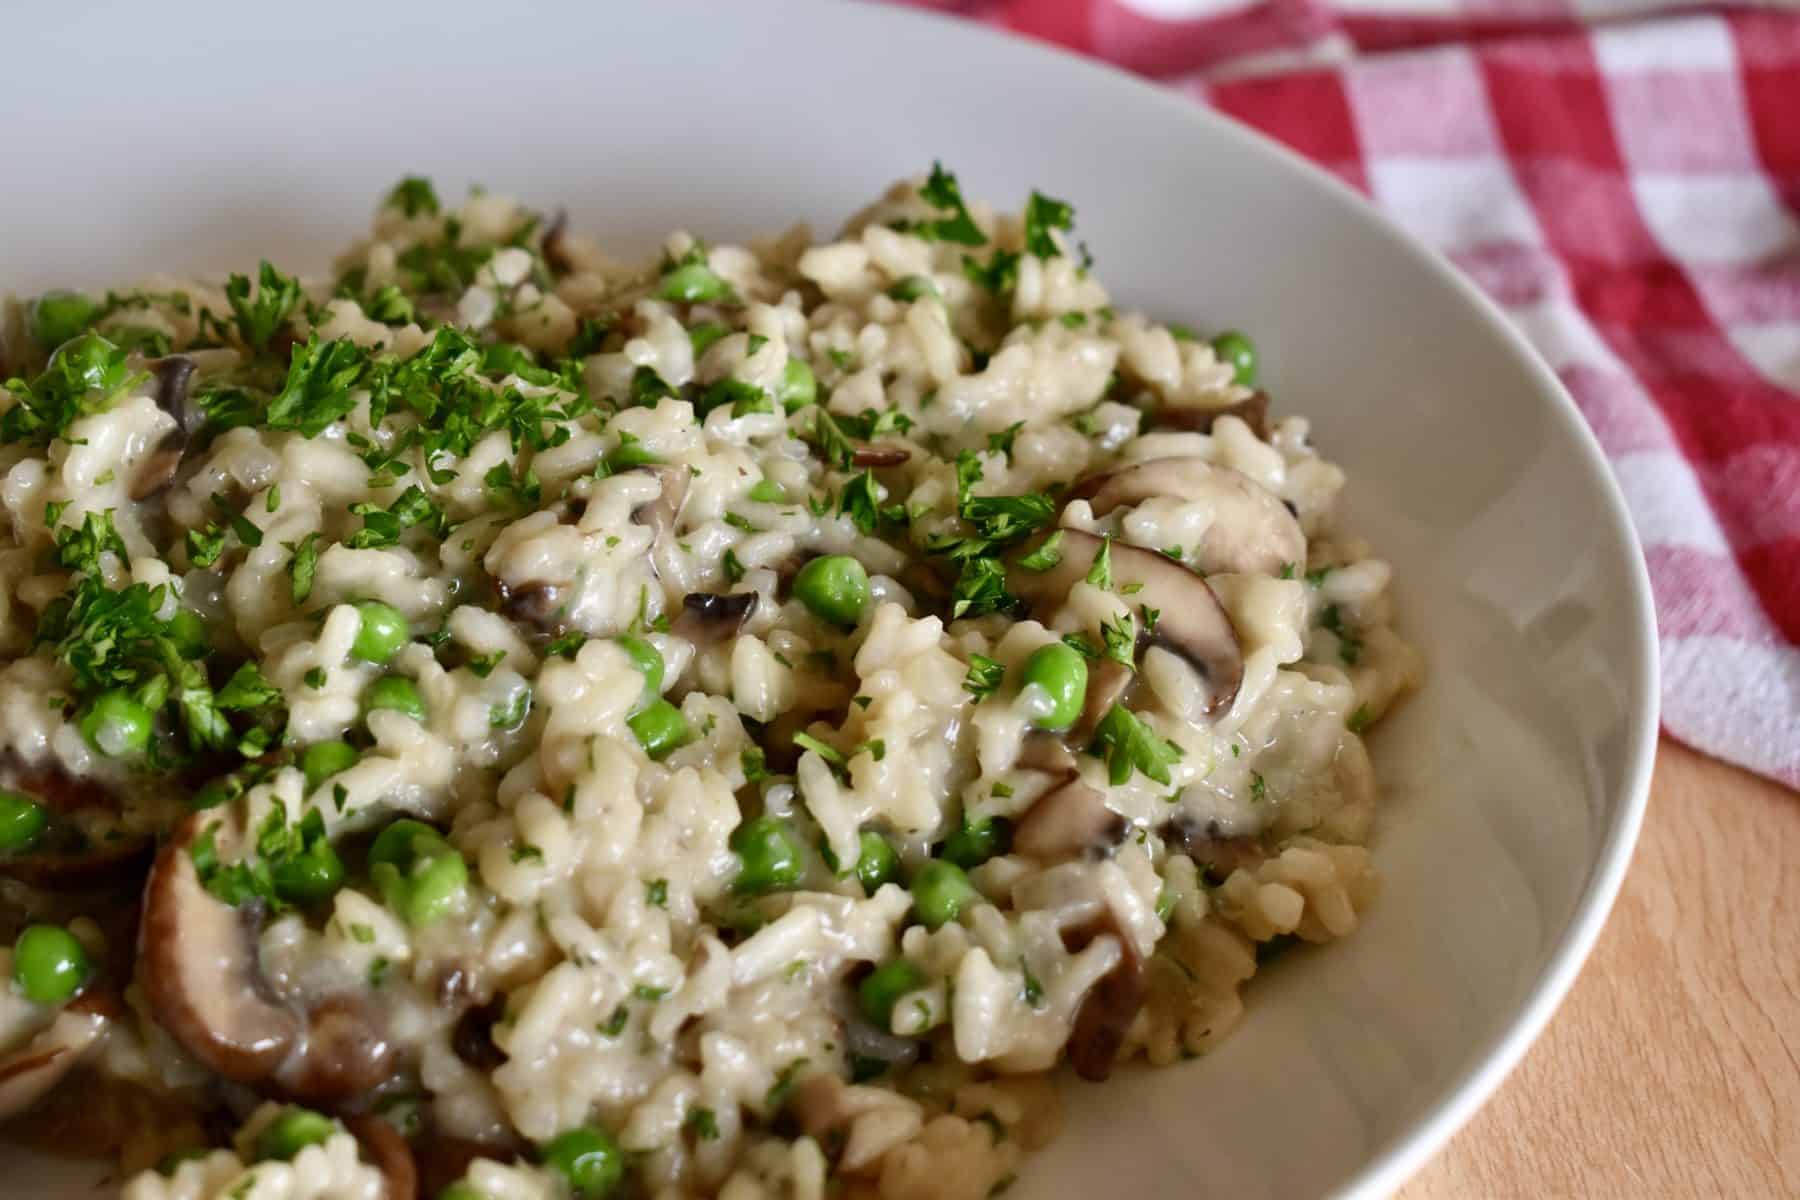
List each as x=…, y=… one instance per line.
x=201, y=971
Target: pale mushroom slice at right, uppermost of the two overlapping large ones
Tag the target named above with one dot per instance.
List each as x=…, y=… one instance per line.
x=1252, y=530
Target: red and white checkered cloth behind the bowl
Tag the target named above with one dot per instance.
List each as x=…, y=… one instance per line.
x=1624, y=179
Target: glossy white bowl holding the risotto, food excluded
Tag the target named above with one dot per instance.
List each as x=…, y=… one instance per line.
x=141, y=141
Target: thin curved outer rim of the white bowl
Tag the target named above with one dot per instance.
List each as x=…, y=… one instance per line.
x=1493, y=1061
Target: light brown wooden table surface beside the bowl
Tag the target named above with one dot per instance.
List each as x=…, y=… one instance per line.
x=1673, y=1068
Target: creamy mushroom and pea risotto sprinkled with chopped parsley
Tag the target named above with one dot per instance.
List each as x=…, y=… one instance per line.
x=507, y=724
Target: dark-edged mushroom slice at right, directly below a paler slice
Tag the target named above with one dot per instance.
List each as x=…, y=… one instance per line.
x=1191, y=622
